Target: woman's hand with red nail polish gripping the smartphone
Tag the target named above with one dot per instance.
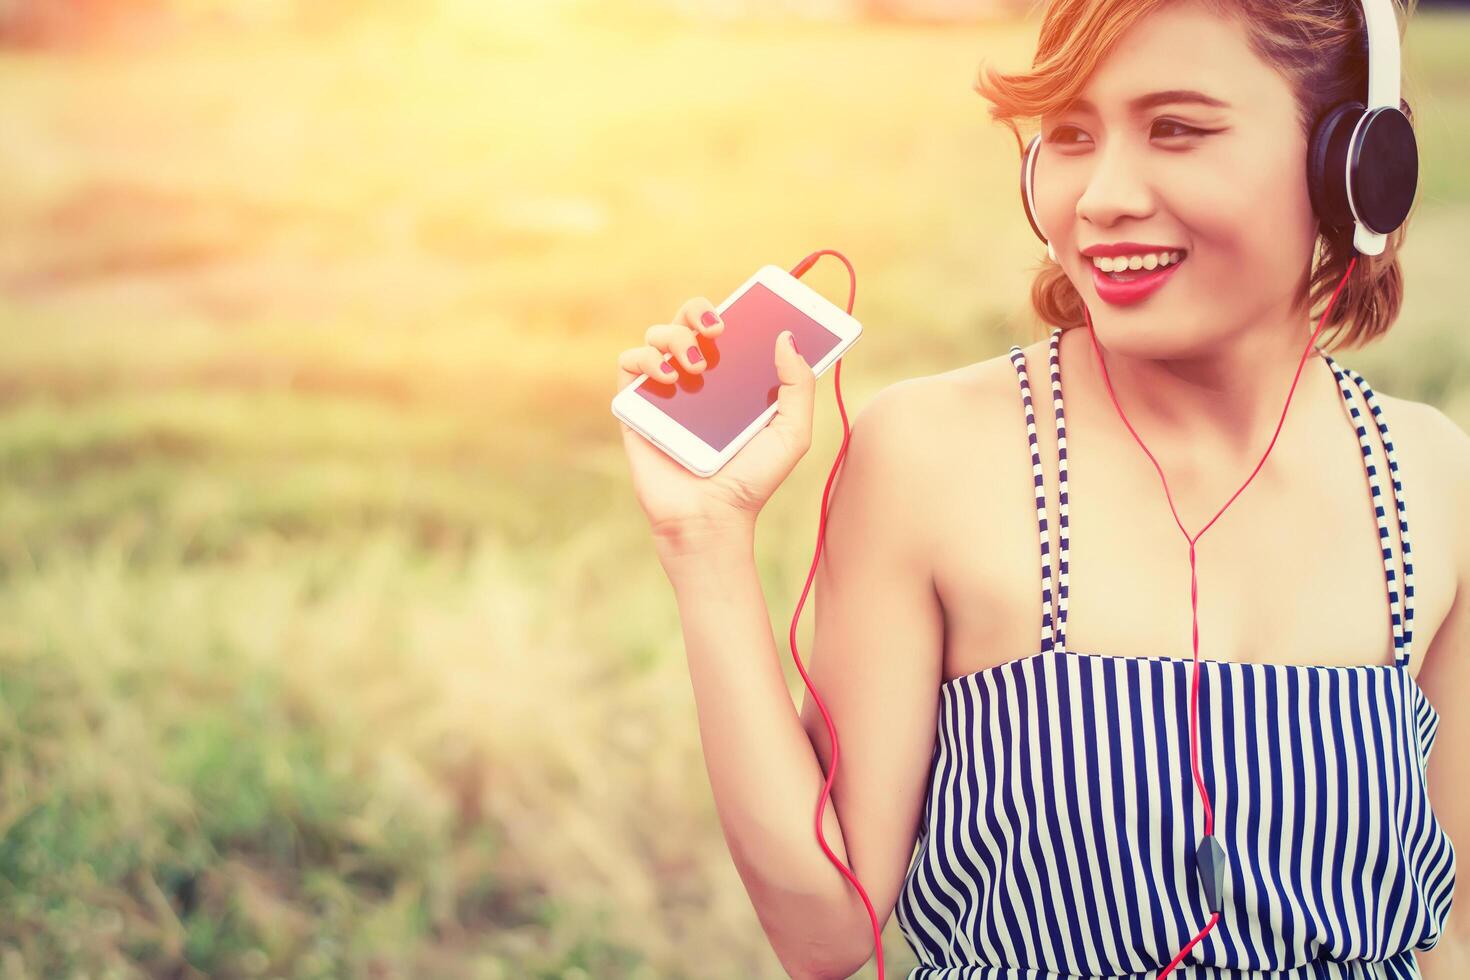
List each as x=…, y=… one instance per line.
x=680, y=502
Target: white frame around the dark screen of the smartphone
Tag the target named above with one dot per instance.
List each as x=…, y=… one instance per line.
x=690, y=450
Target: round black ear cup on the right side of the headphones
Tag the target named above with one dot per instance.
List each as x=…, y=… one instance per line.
x=1363, y=165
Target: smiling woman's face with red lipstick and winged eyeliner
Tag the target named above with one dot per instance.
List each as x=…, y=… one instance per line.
x=1225, y=184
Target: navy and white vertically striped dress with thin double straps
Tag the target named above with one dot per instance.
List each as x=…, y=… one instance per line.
x=1062, y=816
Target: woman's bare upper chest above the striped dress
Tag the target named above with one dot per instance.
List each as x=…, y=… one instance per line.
x=1291, y=572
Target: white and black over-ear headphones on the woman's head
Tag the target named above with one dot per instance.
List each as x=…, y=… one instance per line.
x=1362, y=161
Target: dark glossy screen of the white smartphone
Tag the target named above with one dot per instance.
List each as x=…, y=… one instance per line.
x=740, y=380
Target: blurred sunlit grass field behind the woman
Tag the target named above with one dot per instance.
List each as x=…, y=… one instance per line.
x=331, y=637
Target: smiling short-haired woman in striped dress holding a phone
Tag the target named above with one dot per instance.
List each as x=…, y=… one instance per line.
x=1050, y=794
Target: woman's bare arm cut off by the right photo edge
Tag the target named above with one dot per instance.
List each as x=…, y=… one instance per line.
x=1446, y=672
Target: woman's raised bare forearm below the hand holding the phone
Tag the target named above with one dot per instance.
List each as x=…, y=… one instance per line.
x=764, y=771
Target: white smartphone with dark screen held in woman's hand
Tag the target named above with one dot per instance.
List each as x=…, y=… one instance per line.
x=702, y=421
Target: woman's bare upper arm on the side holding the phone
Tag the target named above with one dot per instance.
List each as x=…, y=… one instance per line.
x=877, y=652
